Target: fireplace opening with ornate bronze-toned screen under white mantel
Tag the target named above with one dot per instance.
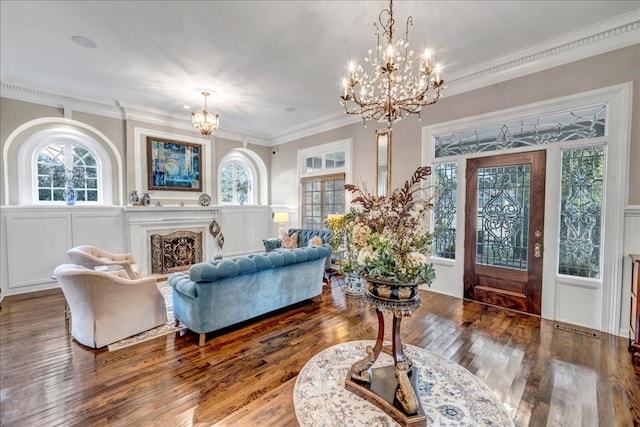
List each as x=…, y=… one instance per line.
x=175, y=251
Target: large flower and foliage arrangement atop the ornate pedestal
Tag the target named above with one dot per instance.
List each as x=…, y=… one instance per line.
x=387, y=238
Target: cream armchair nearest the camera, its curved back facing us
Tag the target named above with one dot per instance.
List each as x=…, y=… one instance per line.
x=106, y=308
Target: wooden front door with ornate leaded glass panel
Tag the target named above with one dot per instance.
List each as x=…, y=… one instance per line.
x=504, y=230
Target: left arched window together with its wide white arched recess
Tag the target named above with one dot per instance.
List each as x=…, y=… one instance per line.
x=62, y=153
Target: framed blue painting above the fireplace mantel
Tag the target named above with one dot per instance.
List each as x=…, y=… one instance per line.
x=173, y=165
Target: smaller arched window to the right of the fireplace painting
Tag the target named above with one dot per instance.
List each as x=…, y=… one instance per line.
x=236, y=182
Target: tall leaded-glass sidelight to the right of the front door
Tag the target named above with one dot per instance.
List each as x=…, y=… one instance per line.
x=581, y=212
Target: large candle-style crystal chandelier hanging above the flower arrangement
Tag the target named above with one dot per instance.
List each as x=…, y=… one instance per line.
x=390, y=89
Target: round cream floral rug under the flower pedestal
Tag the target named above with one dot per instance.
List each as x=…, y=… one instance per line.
x=450, y=395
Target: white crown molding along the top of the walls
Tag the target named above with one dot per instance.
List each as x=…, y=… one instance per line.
x=605, y=36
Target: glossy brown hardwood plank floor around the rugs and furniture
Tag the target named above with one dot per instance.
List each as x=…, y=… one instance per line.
x=245, y=376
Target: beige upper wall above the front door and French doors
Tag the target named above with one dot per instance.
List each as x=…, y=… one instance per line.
x=603, y=70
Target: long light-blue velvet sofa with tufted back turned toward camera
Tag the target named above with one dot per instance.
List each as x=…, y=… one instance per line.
x=220, y=293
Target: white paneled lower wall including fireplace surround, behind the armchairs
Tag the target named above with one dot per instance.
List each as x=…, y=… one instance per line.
x=35, y=239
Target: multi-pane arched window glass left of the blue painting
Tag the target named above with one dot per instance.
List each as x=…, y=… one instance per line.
x=65, y=164
